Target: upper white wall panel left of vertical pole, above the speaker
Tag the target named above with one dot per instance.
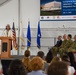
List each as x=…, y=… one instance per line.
x=8, y=12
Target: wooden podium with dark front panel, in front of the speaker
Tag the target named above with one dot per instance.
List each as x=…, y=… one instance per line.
x=5, y=47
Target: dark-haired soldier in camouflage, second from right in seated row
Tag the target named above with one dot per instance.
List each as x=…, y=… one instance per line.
x=66, y=44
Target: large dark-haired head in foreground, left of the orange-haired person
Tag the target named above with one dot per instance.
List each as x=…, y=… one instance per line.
x=17, y=68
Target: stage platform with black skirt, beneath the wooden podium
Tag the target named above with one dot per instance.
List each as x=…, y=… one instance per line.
x=6, y=62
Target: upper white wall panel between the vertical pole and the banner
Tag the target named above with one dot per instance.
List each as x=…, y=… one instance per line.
x=30, y=10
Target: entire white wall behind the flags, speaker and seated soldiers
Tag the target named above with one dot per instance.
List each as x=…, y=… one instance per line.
x=30, y=9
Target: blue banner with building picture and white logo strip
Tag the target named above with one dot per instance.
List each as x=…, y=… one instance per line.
x=57, y=9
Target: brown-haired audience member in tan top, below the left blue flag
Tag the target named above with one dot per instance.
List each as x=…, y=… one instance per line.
x=26, y=60
